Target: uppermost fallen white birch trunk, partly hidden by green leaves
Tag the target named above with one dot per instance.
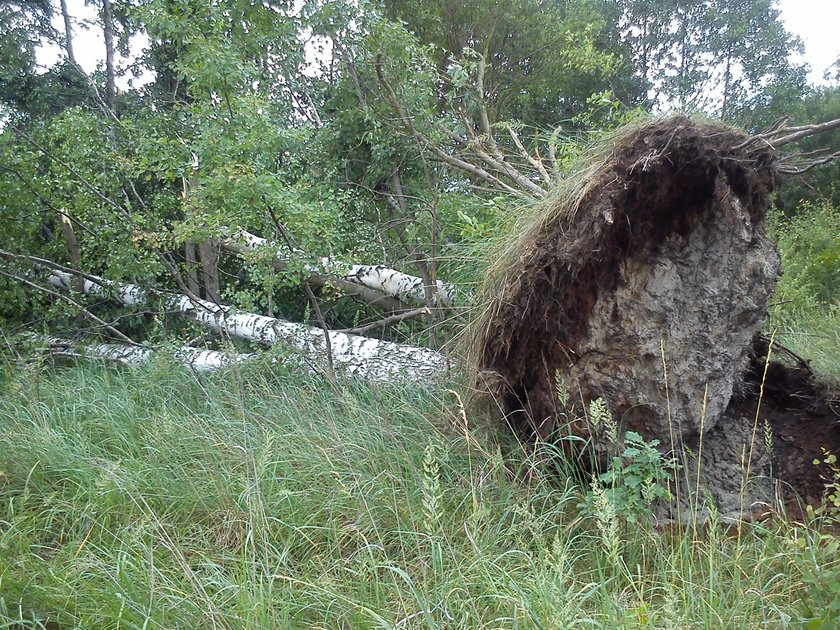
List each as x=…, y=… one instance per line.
x=377, y=277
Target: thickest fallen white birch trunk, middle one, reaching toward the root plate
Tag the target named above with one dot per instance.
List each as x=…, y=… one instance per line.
x=371, y=359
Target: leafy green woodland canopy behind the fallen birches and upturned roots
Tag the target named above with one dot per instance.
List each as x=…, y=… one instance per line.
x=372, y=132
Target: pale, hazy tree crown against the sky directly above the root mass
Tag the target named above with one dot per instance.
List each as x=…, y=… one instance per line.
x=676, y=51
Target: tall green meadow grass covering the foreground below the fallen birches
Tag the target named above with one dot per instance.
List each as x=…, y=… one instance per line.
x=154, y=498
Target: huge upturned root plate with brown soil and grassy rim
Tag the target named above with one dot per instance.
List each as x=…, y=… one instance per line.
x=644, y=281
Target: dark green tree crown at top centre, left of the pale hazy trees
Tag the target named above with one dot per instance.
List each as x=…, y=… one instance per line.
x=543, y=58
